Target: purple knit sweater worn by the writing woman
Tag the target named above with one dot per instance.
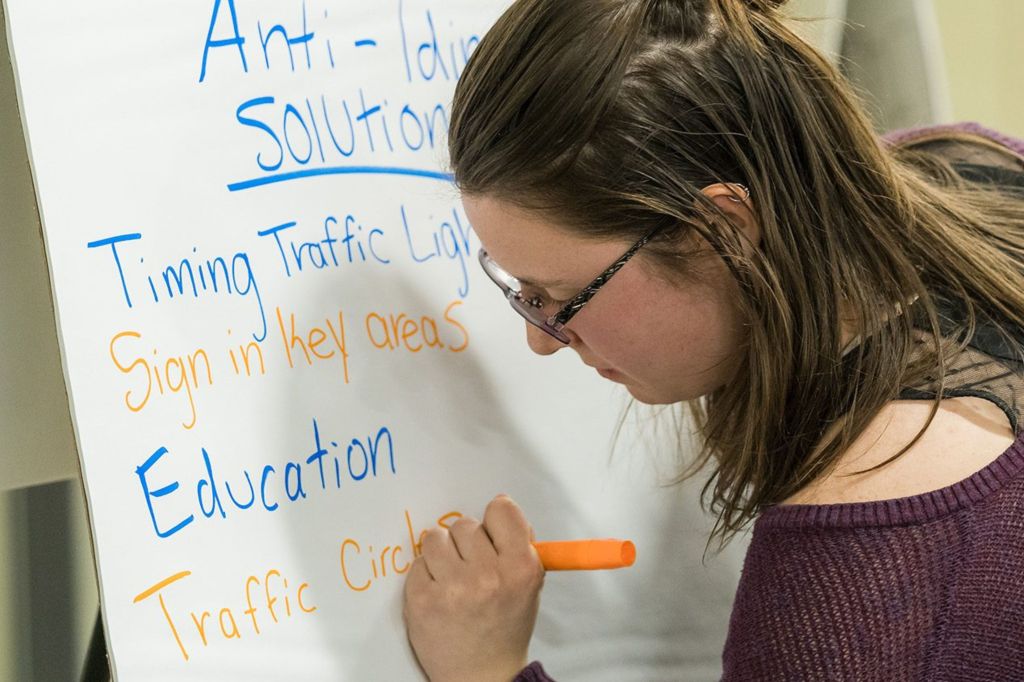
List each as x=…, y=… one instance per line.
x=929, y=587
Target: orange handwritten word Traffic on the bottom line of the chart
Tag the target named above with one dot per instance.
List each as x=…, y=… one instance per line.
x=268, y=600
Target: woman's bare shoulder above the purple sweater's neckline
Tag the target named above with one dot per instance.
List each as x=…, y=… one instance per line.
x=965, y=437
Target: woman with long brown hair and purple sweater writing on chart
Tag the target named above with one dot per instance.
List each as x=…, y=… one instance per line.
x=844, y=317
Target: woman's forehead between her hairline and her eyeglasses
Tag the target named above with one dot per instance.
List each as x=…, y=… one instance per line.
x=534, y=248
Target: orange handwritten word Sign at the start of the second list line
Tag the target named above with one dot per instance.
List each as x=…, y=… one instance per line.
x=175, y=375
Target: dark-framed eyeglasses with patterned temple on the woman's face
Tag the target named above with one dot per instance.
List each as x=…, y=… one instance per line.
x=534, y=308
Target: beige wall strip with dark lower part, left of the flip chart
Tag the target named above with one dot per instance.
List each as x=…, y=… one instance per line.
x=48, y=589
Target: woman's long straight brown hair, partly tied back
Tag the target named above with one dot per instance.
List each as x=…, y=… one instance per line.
x=609, y=116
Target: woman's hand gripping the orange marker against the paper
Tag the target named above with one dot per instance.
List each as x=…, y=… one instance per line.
x=472, y=598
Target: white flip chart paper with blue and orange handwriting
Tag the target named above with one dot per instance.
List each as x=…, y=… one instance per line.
x=283, y=362
